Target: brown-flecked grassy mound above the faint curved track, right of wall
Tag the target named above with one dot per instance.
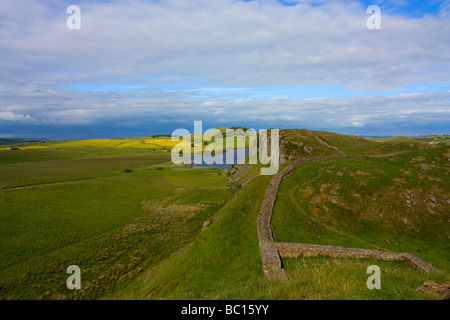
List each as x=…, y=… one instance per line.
x=373, y=186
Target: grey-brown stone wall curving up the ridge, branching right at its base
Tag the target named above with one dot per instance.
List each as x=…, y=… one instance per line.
x=272, y=252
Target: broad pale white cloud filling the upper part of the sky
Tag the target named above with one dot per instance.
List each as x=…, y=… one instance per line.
x=230, y=43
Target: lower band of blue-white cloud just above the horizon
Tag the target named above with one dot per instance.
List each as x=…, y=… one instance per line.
x=89, y=108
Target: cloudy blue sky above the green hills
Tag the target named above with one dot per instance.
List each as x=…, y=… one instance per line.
x=139, y=68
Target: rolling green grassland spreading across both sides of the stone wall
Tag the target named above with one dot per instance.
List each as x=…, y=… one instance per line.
x=132, y=221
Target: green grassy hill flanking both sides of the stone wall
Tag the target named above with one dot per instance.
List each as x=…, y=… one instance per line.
x=224, y=262
